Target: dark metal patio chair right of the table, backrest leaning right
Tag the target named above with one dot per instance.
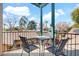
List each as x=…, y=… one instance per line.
x=58, y=50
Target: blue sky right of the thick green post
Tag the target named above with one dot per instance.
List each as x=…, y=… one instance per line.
x=63, y=12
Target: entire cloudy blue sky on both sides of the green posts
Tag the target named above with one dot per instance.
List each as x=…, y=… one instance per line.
x=16, y=10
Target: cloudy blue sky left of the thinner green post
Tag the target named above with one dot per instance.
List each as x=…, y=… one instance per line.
x=14, y=9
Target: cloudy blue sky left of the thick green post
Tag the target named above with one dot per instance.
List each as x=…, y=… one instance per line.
x=26, y=9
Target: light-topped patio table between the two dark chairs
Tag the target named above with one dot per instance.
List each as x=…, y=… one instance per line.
x=41, y=45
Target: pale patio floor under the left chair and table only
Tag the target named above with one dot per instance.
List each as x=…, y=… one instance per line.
x=33, y=53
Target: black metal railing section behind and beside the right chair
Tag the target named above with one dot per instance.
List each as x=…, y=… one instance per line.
x=72, y=46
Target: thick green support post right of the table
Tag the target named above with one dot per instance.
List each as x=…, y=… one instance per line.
x=53, y=22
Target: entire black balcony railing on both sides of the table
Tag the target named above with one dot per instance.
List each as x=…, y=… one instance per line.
x=71, y=48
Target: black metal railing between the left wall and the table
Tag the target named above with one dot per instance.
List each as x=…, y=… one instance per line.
x=10, y=37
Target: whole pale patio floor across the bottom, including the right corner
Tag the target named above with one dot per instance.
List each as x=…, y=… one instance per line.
x=18, y=52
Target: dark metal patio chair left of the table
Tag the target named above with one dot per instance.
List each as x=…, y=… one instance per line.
x=26, y=46
